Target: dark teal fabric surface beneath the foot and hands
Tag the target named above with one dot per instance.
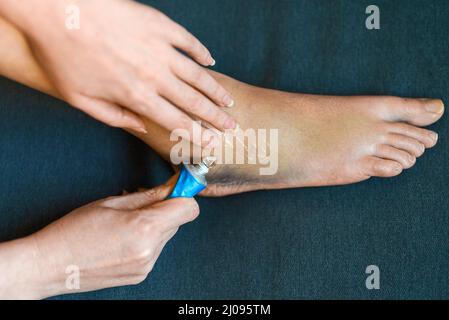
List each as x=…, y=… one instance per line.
x=303, y=243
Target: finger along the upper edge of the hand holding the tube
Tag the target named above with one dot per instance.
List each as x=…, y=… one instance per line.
x=138, y=200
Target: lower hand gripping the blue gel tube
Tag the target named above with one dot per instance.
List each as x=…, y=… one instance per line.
x=113, y=242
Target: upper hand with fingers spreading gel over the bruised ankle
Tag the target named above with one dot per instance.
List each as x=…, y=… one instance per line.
x=122, y=62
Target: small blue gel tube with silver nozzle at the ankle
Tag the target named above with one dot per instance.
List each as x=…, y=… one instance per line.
x=192, y=179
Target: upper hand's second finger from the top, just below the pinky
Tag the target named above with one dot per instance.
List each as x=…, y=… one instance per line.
x=200, y=79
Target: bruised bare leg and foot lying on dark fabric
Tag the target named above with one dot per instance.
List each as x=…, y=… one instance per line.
x=323, y=140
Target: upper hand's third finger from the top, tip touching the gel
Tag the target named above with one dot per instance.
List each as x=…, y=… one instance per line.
x=193, y=102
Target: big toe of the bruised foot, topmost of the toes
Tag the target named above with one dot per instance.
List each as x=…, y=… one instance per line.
x=419, y=112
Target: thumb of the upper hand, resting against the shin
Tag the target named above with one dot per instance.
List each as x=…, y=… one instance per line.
x=110, y=113
